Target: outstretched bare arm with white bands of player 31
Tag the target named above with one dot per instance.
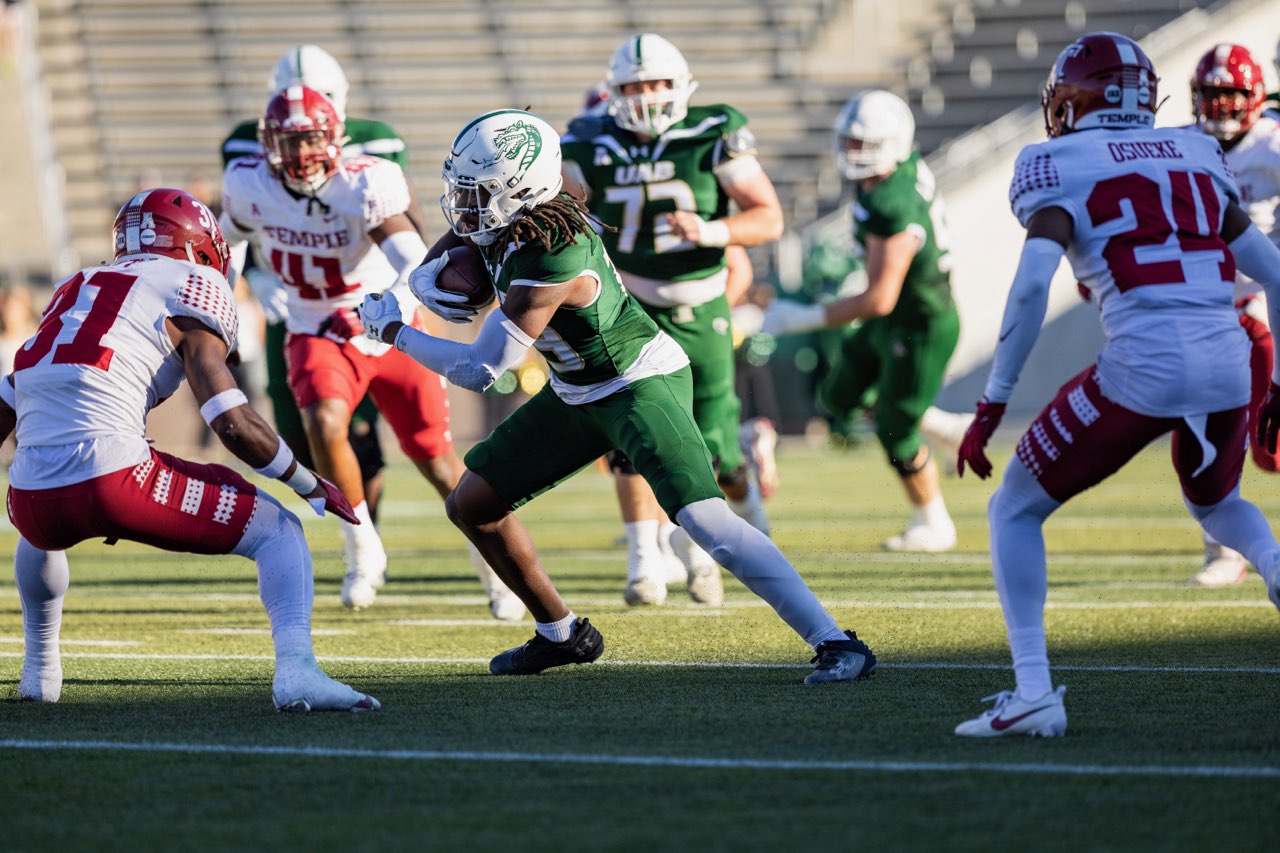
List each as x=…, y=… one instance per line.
x=241, y=430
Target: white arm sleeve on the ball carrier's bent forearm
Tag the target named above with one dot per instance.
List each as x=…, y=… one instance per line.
x=500, y=346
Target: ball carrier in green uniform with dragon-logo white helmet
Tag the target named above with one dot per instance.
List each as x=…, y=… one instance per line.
x=618, y=382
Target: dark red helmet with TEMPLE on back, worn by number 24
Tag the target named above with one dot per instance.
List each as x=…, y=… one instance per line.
x=1101, y=80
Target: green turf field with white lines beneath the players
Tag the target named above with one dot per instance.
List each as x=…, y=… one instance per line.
x=694, y=732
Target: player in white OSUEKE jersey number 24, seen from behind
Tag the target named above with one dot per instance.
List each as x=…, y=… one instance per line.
x=1151, y=223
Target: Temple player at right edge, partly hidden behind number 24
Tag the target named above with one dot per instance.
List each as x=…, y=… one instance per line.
x=1228, y=98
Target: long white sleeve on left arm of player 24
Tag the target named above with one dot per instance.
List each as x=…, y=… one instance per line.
x=1025, y=313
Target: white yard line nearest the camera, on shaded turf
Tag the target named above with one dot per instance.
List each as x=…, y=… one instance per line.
x=685, y=763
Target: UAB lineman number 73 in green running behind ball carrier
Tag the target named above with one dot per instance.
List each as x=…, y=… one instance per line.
x=662, y=176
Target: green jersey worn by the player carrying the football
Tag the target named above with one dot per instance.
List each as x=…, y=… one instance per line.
x=595, y=350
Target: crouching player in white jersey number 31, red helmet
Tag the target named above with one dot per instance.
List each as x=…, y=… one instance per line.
x=116, y=341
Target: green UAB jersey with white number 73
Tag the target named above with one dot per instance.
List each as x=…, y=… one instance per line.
x=634, y=185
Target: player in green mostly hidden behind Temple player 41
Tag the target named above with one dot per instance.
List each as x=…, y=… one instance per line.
x=314, y=67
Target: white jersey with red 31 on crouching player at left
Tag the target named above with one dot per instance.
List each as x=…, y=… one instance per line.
x=102, y=359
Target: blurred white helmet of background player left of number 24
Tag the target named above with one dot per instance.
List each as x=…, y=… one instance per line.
x=875, y=133
